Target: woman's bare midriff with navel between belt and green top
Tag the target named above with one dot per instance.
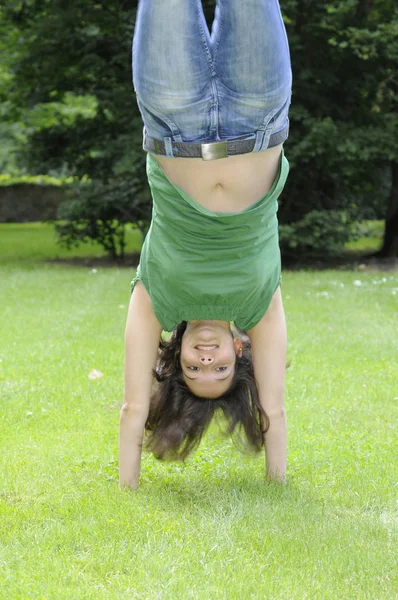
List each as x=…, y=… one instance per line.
x=228, y=184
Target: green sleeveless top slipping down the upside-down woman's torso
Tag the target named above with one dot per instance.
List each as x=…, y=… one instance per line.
x=197, y=264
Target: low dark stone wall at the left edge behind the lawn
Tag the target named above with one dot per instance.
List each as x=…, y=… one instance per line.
x=24, y=202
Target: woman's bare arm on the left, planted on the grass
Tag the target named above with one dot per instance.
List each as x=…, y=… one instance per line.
x=141, y=347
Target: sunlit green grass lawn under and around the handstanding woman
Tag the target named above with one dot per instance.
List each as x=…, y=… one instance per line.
x=210, y=528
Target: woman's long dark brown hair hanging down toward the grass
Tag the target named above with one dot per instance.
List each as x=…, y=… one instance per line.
x=178, y=419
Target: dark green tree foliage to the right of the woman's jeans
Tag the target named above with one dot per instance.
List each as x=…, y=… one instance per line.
x=344, y=121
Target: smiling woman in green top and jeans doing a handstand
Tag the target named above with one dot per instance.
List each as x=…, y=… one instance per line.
x=215, y=112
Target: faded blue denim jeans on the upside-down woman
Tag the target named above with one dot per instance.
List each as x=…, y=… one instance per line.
x=193, y=86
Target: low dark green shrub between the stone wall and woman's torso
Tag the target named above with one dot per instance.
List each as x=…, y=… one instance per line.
x=99, y=212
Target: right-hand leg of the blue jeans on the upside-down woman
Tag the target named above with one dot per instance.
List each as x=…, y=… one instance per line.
x=252, y=62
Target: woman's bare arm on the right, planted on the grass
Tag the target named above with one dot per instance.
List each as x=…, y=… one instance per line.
x=269, y=343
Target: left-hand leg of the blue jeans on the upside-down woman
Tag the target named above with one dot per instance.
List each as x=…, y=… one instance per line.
x=172, y=67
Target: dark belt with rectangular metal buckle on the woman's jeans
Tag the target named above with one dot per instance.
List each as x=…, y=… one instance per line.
x=212, y=150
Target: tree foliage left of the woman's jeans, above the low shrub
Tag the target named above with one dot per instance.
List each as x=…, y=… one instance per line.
x=69, y=93
